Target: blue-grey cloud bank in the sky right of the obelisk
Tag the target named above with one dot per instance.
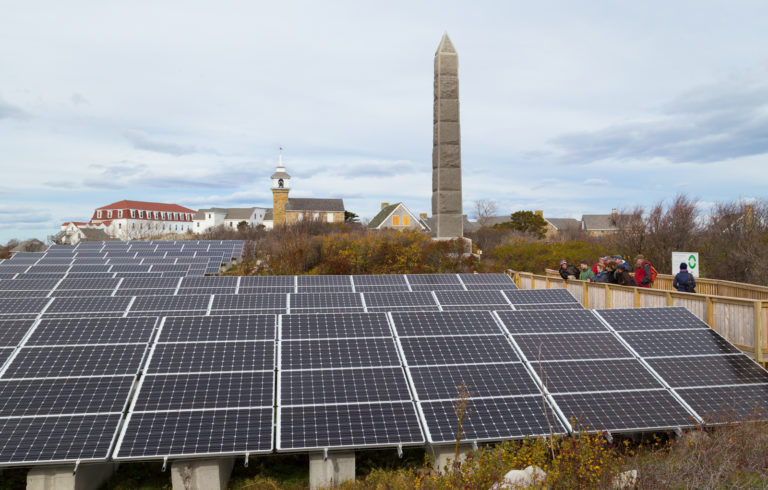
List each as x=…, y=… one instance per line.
x=707, y=125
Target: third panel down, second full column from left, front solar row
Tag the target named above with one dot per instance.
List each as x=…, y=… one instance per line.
x=206, y=391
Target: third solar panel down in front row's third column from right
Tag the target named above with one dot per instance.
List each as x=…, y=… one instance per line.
x=488, y=380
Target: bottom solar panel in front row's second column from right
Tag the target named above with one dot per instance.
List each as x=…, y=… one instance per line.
x=623, y=411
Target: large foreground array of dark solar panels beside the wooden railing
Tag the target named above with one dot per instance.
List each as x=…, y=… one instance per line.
x=239, y=365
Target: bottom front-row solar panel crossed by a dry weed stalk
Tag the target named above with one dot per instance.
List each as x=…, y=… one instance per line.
x=490, y=419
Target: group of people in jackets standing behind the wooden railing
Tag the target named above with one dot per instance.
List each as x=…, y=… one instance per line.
x=616, y=270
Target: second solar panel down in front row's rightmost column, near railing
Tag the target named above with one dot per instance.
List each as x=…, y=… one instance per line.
x=655, y=343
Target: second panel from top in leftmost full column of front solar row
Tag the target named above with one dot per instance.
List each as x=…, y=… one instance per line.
x=85, y=360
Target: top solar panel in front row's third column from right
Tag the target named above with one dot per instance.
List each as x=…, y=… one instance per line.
x=409, y=324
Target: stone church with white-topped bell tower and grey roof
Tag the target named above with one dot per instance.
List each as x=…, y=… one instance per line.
x=287, y=210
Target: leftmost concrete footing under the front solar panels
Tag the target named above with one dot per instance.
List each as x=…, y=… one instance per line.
x=88, y=476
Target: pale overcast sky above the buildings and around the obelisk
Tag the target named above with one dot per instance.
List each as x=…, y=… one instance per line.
x=570, y=107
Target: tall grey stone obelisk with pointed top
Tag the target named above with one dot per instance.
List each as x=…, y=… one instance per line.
x=446, y=145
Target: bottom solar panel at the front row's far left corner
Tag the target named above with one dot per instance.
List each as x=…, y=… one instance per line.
x=57, y=439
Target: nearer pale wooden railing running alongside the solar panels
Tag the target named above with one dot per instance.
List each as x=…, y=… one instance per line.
x=739, y=320
